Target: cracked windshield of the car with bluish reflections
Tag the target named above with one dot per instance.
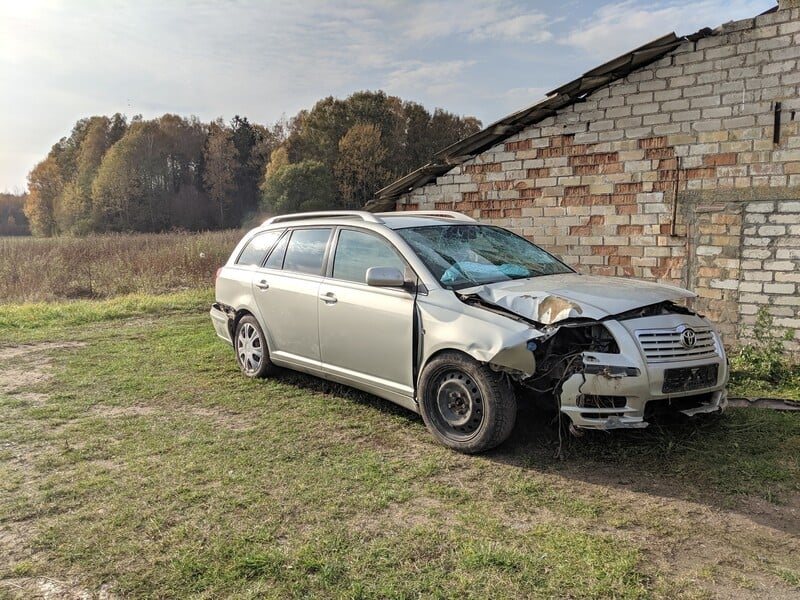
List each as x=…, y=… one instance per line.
x=461, y=256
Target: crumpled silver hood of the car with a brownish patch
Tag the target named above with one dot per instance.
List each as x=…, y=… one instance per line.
x=552, y=298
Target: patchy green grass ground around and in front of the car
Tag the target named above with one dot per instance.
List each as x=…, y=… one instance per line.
x=141, y=461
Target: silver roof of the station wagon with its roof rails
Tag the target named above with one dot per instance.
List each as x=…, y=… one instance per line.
x=392, y=220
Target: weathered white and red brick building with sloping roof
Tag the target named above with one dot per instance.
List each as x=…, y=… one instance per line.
x=678, y=162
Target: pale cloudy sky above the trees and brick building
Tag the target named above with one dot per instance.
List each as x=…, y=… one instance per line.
x=63, y=60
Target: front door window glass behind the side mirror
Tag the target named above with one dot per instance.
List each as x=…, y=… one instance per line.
x=357, y=251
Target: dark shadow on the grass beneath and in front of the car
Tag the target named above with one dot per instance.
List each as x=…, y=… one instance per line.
x=674, y=457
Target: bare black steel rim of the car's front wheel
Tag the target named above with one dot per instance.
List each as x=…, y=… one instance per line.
x=459, y=405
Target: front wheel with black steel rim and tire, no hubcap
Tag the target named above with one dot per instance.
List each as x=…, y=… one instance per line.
x=465, y=405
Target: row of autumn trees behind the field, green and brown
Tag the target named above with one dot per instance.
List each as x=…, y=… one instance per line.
x=112, y=175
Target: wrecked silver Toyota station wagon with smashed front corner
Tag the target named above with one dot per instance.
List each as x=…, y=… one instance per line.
x=458, y=320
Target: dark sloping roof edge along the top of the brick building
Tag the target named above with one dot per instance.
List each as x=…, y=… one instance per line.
x=557, y=99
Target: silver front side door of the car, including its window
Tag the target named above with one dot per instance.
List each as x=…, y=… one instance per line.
x=366, y=333
